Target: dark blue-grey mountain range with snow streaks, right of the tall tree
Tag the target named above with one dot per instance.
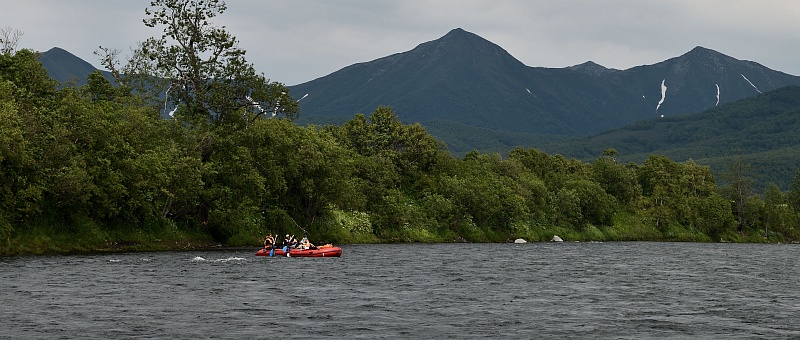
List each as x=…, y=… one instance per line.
x=462, y=79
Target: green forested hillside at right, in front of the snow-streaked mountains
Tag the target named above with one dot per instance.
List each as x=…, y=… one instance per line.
x=763, y=130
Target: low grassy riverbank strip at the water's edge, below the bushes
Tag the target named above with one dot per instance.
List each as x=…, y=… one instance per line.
x=76, y=240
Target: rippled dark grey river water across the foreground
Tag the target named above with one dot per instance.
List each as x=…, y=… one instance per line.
x=630, y=290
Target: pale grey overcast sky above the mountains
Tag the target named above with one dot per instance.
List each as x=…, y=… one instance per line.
x=294, y=41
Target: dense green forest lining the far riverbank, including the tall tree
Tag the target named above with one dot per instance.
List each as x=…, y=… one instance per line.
x=96, y=167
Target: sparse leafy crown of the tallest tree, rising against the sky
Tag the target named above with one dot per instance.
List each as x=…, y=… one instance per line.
x=204, y=72
